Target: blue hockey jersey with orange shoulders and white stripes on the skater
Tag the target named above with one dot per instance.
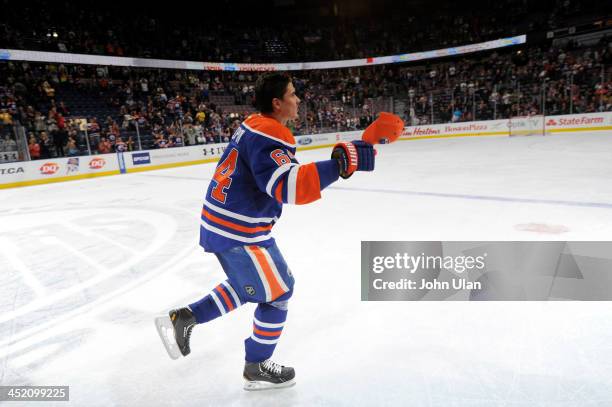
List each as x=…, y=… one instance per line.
x=256, y=174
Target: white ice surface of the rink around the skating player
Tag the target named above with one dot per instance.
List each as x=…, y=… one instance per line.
x=87, y=265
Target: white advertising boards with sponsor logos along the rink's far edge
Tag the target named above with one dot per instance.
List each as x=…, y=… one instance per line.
x=66, y=169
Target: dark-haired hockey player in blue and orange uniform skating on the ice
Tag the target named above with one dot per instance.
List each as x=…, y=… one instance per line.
x=256, y=175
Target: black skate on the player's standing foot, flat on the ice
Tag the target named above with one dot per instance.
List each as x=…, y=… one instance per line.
x=267, y=375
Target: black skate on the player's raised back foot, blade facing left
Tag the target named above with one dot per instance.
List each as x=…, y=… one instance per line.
x=175, y=331
